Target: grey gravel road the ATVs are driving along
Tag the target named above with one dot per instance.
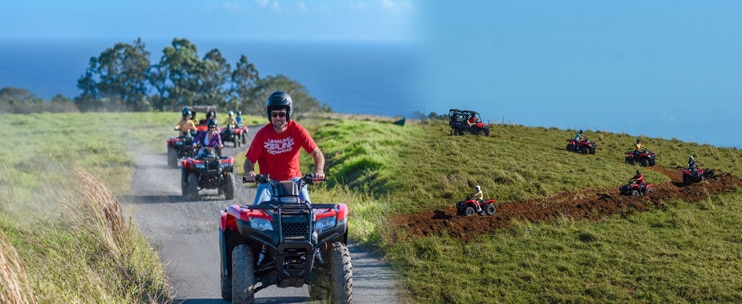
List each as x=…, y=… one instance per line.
x=186, y=235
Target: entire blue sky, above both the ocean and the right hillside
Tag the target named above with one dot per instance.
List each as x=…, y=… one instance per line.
x=658, y=68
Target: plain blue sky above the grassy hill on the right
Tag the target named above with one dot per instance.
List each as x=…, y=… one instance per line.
x=670, y=69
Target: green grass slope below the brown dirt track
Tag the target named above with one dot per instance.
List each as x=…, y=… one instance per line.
x=685, y=253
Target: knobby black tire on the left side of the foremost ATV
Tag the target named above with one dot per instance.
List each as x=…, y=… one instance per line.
x=243, y=276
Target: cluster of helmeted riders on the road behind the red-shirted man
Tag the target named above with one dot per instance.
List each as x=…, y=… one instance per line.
x=210, y=140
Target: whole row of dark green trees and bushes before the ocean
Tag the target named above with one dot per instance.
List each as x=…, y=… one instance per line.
x=122, y=78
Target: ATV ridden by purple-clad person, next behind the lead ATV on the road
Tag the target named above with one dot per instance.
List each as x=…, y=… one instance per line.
x=209, y=171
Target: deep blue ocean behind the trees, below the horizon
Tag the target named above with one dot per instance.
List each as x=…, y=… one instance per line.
x=358, y=78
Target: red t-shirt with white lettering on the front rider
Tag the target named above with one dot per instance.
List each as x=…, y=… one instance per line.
x=278, y=154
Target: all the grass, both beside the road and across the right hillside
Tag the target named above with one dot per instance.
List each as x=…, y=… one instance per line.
x=676, y=252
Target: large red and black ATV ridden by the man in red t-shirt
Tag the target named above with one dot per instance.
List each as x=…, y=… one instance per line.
x=285, y=242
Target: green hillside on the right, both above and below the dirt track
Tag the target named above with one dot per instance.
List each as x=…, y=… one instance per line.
x=678, y=253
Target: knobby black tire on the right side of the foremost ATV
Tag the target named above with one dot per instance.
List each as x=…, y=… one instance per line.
x=341, y=274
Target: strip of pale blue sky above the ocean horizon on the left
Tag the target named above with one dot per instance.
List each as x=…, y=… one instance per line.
x=366, y=20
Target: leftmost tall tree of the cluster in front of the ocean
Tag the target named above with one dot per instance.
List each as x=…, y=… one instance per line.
x=117, y=79
